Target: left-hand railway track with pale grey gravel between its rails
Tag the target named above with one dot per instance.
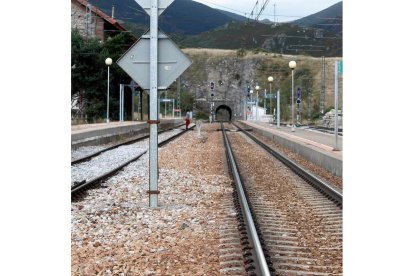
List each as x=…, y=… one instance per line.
x=89, y=174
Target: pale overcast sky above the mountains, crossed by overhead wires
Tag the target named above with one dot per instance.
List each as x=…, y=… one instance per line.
x=286, y=10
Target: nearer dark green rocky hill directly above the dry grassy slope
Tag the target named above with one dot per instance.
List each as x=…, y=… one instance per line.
x=284, y=39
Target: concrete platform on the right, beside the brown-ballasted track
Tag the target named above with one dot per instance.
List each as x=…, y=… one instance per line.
x=314, y=146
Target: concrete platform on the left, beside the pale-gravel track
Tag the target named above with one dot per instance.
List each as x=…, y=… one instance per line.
x=98, y=134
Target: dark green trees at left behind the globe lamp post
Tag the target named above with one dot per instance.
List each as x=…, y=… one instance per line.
x=89, y=73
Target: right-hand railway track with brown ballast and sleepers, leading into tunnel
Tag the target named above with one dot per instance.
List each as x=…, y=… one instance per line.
x=299, y=225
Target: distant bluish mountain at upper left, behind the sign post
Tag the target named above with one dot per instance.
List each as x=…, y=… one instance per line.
x=183, y=17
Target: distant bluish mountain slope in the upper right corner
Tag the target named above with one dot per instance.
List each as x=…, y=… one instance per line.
x=329, y=19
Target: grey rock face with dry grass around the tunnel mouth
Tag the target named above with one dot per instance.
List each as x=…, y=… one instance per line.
x=234, y=71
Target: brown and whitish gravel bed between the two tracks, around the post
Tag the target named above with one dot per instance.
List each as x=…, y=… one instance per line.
x=114, y=232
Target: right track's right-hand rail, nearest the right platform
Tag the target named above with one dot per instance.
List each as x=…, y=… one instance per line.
x=325, y=188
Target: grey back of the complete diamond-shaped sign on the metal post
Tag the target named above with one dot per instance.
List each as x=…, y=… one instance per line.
x=172, y=62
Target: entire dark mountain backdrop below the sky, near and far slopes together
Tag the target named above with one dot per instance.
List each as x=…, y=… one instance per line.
x=191, y=24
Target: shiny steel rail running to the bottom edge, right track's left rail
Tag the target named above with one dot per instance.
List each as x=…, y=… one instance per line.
x=251, y=228
